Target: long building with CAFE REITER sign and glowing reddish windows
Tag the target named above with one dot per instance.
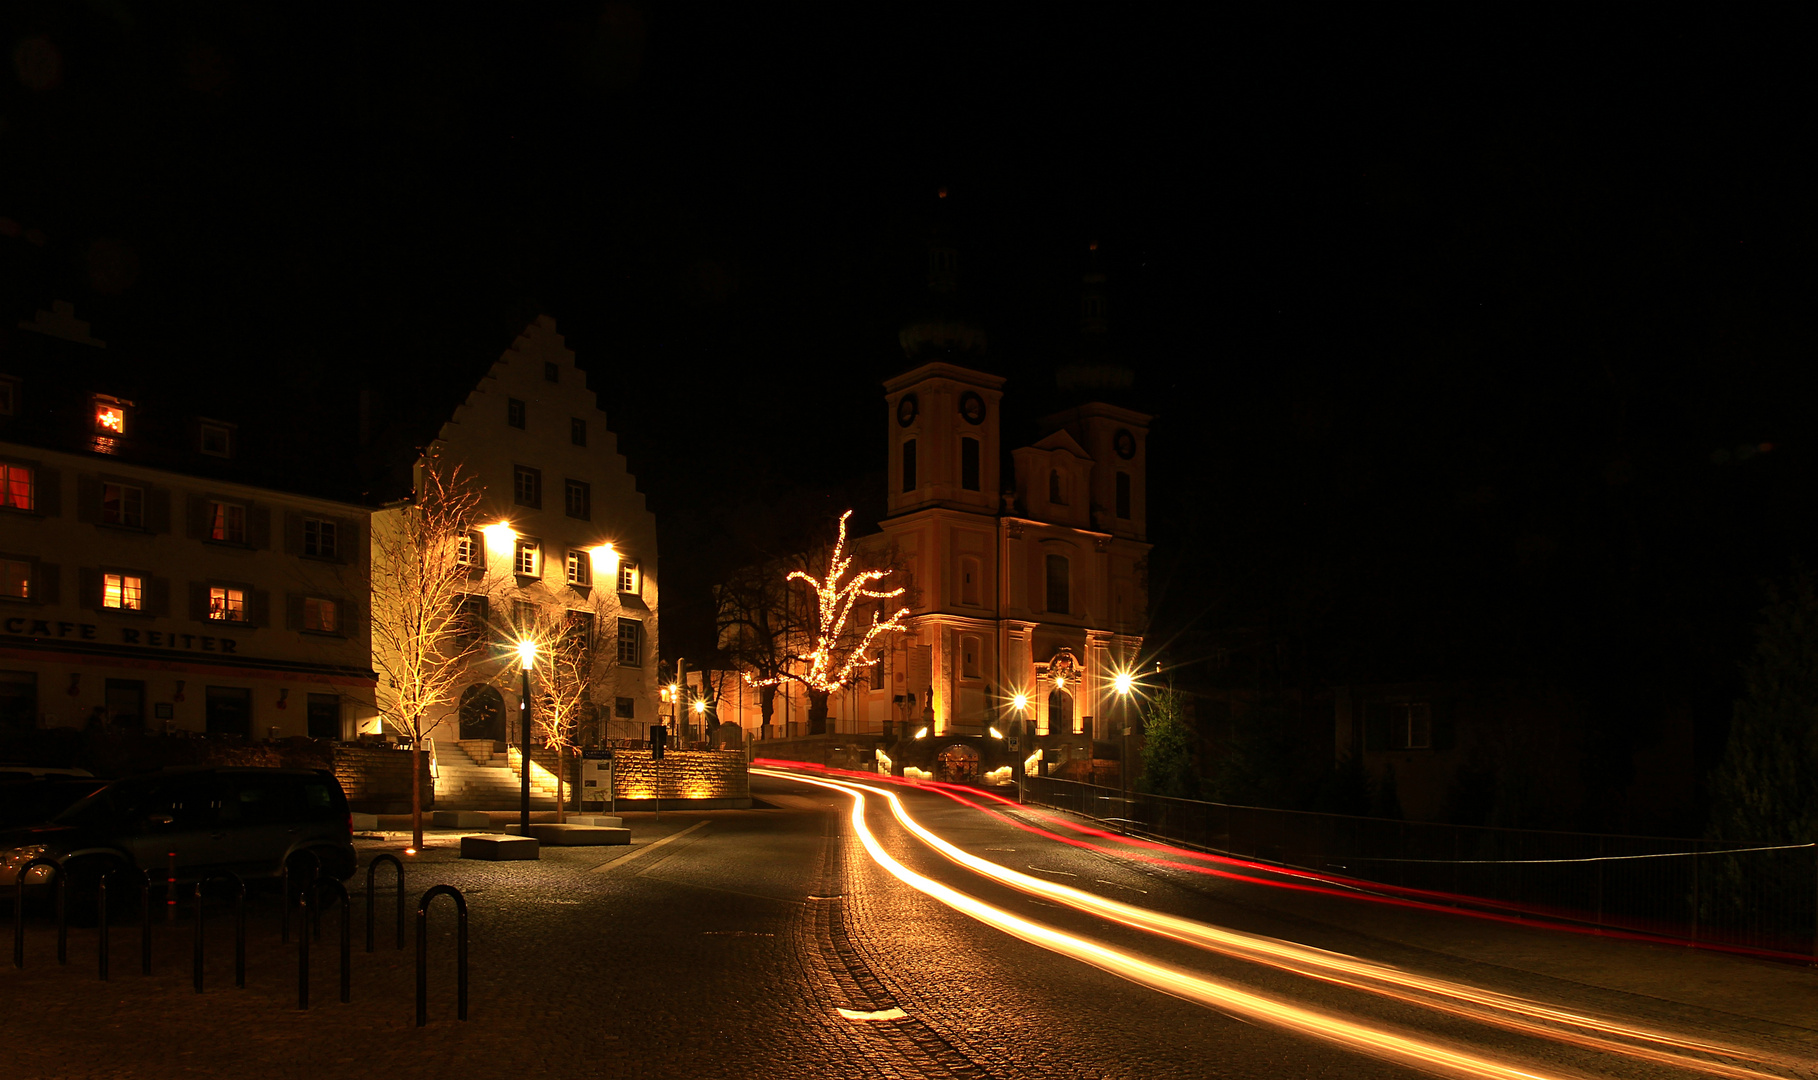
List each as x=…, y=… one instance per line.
x=157, y=566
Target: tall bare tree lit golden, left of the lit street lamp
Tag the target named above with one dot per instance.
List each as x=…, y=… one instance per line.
x=423, y=643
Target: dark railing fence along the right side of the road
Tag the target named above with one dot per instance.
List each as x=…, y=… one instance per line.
x=1708, y=892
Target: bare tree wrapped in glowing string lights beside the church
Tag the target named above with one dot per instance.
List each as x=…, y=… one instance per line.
x=837, y=643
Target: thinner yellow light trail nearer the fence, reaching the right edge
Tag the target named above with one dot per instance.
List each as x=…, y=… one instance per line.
x=1335, y=968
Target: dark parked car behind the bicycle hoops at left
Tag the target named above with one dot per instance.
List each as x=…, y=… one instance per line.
x=214, y=819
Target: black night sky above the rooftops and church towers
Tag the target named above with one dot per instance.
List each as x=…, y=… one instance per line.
x=1481, y=343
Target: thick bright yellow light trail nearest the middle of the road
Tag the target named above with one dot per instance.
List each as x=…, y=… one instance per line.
x=1183, y=985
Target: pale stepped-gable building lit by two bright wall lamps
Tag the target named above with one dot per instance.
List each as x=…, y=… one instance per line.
x=564, y=535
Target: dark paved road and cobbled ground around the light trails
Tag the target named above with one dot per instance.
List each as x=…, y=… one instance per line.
x=770, y=943
